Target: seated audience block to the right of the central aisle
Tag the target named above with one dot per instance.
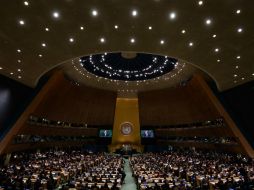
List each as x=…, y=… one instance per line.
x=192, y=170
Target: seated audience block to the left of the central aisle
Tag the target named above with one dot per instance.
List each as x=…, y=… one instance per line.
x=63, y=170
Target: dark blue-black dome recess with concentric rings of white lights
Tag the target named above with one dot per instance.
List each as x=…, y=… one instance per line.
x=140, y=67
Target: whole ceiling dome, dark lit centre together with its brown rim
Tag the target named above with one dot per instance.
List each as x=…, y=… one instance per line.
x=128, y=72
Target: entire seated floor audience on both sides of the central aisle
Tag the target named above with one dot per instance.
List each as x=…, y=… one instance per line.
x=175, y=169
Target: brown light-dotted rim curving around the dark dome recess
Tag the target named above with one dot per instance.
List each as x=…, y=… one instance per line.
x=76, y=73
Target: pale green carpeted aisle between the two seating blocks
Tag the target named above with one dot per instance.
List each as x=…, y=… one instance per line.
x=129, y=181
